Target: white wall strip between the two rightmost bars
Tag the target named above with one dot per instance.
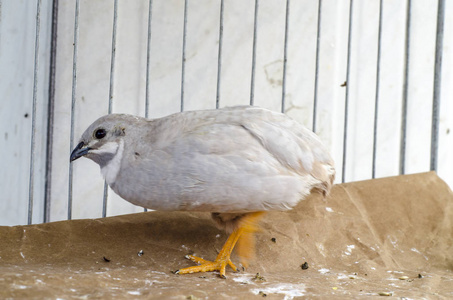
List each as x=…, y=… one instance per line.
x=421, y=65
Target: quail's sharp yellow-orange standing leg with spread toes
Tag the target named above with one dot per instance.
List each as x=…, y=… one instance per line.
x=246, y=226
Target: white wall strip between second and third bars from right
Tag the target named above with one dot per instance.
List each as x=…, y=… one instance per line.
x=391, y=88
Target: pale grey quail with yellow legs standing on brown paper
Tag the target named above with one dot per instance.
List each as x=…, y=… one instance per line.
x=236, y=163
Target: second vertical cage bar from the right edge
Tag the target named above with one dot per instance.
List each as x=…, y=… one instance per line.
x=402, y=165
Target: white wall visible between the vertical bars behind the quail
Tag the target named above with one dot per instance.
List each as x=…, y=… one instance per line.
x=93, y=74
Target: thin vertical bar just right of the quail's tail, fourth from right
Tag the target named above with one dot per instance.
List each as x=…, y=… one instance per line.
x=346, y=102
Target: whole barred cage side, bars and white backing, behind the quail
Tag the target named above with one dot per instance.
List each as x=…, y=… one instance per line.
x=372, y=78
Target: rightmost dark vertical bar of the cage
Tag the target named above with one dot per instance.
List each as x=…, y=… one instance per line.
x=437, y=84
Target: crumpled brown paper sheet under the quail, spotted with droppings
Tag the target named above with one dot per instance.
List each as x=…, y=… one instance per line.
x=392, y=236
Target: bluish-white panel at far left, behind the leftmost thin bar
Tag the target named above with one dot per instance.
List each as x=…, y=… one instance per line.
x=17, y=56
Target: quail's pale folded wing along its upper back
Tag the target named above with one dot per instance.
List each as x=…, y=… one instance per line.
x=279, y=137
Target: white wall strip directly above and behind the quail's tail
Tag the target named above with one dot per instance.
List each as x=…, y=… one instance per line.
x=332, y=75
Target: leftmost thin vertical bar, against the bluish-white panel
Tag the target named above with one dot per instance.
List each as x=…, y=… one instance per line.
x=33, y=120
